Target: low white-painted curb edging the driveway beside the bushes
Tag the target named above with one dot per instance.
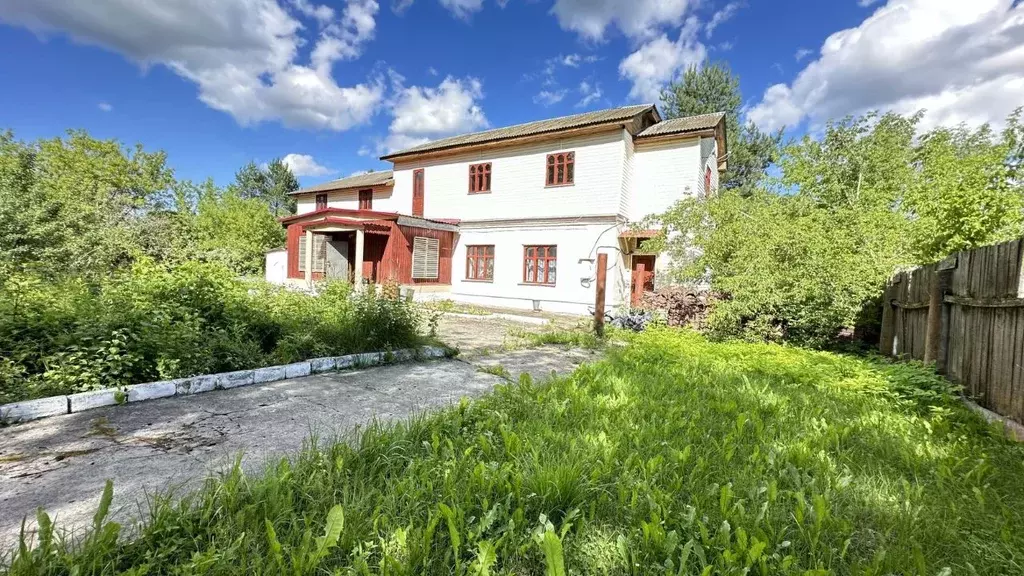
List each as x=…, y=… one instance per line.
x=71, y=404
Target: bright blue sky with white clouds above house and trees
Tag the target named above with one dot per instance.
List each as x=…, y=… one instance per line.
x=338, y=83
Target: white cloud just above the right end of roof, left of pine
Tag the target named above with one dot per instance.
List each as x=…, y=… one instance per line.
x=660, y=61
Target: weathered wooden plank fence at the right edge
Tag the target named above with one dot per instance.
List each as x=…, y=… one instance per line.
x=967, y=315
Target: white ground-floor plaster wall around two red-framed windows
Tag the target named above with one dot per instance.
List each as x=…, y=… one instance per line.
x=575, y=289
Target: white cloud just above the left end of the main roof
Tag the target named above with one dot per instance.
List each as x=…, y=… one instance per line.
x=422, y=114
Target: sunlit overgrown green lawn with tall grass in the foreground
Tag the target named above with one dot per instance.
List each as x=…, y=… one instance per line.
x=674, y=457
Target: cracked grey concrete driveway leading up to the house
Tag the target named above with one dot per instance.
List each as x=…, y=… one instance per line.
x=62, y=464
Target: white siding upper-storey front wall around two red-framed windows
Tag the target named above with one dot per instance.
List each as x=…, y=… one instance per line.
x=518, y=186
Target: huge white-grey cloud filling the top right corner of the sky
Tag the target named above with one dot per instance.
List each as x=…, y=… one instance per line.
x=964, y=62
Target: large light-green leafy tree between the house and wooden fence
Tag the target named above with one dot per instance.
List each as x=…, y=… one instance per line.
x=802, y=257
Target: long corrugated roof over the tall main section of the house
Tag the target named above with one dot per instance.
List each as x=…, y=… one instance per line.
x=529, y=130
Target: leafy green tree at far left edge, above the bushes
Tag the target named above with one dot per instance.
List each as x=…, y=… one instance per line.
x=73, y=205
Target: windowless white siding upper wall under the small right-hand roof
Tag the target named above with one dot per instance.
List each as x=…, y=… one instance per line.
x=663, y=174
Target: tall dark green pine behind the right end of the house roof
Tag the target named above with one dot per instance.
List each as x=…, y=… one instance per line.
x=712, y=89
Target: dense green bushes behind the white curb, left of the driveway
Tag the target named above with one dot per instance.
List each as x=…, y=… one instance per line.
x=155, y=322
